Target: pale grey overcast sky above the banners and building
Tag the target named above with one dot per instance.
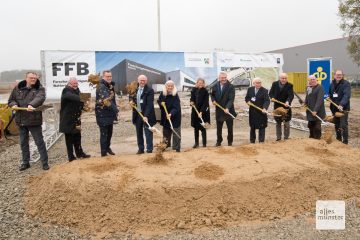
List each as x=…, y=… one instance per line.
x=28, y=26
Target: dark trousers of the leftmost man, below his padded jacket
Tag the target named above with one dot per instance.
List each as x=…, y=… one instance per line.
x=36, y=133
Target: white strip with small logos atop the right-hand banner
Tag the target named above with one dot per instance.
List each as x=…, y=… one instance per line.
x=228, y=59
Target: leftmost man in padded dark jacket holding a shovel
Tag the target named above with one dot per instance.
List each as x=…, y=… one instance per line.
x=30, y=94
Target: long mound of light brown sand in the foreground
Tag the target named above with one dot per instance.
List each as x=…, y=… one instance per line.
x=258, y=182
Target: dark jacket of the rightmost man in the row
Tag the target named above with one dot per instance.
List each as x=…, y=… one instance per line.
x=343, y=90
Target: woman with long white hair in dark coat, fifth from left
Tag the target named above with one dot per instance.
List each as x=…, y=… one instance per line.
x=172, y=101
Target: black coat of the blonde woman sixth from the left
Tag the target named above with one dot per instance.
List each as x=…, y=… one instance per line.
x=200, y=97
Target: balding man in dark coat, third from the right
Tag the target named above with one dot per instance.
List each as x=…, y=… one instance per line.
x=282, y=91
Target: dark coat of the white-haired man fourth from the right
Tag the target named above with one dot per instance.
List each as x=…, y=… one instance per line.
x=257, y=119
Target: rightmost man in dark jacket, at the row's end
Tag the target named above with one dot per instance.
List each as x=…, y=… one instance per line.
x=340, y=93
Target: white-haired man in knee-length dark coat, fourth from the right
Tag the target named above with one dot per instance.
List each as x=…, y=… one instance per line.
x=258, y=96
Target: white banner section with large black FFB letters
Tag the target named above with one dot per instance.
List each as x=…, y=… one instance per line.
x=59, y=66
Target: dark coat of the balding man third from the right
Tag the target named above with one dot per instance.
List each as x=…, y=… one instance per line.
x=284, y=94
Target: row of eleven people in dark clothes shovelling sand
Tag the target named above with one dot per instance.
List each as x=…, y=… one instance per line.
x=30, y=94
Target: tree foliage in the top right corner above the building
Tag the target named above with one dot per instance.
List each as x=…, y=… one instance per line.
x=349, y=11
